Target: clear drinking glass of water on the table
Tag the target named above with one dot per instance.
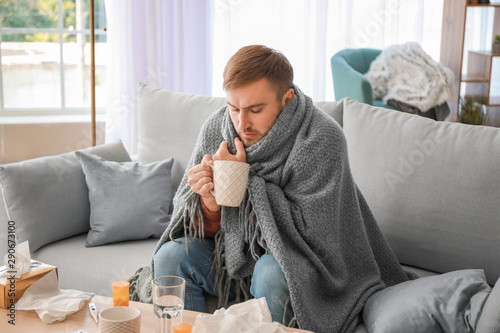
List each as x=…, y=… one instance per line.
x=168, y=301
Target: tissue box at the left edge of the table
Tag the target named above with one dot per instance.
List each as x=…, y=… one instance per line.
x=9, y=292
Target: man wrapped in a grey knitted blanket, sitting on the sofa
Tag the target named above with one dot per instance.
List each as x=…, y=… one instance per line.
x=303, y=232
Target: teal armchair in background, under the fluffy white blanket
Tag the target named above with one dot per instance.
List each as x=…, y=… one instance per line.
x=348, y=67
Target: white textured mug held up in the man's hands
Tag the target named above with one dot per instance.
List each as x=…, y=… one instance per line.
x=230, y=182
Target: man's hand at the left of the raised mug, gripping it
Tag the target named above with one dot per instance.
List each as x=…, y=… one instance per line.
x=200, y=179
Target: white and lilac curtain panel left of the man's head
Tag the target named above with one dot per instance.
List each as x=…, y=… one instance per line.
x=164, y=43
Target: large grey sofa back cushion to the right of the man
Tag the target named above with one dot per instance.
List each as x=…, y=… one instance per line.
x=432, y=186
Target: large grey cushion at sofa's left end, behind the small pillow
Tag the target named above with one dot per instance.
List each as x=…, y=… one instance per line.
x=47, y=197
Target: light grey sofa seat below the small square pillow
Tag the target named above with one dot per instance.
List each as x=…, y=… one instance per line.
x=94, y=269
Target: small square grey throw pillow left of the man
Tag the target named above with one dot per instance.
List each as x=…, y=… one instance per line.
x=127, y=200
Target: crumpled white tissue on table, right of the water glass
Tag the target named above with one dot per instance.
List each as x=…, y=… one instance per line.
x=252, y=316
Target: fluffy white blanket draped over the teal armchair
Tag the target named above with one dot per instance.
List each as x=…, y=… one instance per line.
x=407, y=74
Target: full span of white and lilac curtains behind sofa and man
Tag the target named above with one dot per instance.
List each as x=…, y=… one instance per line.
x=183, y=45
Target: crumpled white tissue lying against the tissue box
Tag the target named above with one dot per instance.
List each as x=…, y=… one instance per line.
x=51, y=303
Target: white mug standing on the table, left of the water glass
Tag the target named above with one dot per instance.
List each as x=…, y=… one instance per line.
x=120, y=319
